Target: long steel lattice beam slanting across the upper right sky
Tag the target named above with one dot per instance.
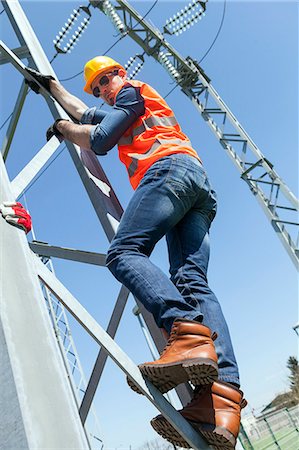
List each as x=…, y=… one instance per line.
x=277, y=201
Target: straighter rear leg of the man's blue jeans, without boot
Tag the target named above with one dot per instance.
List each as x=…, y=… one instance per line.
x=189, y=250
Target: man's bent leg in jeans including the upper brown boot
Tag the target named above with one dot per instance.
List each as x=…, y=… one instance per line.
x=167, y=192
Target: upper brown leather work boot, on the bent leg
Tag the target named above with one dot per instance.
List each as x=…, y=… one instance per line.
x=188, y=356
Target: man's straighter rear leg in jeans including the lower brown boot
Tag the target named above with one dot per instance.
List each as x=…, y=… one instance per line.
x=215, y=409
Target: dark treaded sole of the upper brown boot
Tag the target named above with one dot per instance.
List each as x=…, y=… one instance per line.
x=199, y=371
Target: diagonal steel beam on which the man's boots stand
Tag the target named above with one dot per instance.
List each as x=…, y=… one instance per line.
x=119, y=357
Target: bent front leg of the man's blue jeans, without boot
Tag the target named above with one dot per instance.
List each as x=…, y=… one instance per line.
x=151, y=213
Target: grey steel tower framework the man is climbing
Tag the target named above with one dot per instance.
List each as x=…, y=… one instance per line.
x=17, y=310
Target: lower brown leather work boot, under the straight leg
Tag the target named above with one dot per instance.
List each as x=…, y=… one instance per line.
x=215, y=411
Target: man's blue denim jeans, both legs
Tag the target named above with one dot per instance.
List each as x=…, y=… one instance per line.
x=174, y=199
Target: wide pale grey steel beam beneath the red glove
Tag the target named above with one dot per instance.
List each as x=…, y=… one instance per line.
x=32, y=404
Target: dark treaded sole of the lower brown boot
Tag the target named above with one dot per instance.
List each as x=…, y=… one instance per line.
x=220, y=438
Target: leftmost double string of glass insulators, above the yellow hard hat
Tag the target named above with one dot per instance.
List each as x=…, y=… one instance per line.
x=66, y=47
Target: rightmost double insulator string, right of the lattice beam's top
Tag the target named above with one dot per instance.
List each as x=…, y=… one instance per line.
x=185, y=18
